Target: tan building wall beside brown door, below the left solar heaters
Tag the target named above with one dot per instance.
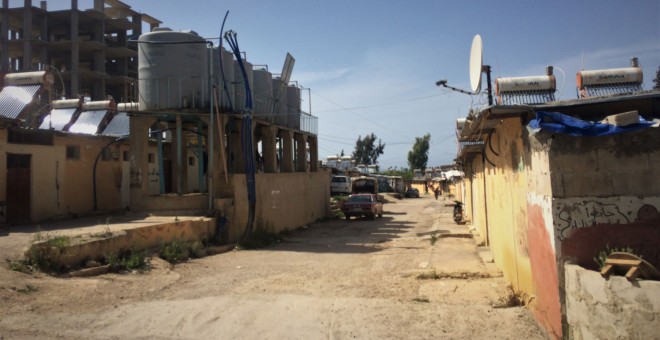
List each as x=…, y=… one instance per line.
x=63, y=187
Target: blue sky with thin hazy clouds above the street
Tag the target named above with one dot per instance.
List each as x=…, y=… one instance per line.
x=371, y=66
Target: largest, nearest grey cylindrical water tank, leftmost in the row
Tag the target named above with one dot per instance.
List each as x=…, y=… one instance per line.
x=172, y=70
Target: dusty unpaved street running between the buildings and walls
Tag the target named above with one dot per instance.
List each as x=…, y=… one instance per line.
x=331, y=280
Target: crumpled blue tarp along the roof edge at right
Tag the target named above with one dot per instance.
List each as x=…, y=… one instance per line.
x=561, y=123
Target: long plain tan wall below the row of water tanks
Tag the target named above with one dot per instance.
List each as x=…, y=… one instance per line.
x=284, y=201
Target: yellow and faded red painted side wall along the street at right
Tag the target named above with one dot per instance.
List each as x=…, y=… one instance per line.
x=519, y=218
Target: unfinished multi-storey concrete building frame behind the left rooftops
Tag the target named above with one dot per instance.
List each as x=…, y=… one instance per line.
x=90, y=51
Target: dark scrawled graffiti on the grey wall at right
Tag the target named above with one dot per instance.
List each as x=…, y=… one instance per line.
x=586, y=214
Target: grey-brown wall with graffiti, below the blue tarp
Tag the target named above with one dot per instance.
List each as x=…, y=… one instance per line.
x=604, y=180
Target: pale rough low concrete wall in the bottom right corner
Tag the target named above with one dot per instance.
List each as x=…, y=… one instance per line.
x=598, y=308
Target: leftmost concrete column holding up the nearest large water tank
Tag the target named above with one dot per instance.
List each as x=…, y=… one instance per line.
x=138, y=158
